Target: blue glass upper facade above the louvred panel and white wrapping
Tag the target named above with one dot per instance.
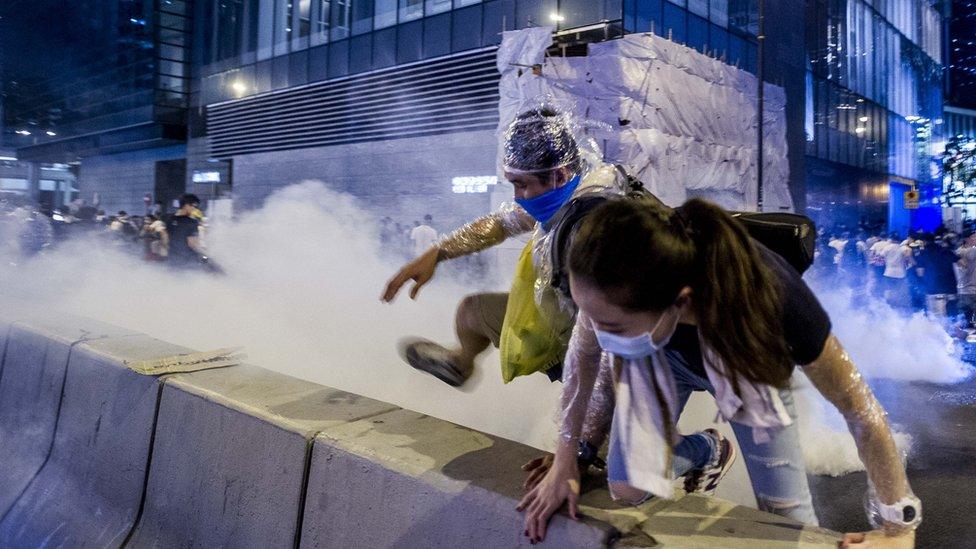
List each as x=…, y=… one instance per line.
x=249, y=47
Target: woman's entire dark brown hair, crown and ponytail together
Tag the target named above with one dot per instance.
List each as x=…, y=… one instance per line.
x=641, y=254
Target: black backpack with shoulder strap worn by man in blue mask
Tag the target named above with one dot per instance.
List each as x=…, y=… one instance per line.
x=792, y=236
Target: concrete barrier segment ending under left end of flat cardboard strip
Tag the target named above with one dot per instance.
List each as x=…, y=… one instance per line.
x=88, y=492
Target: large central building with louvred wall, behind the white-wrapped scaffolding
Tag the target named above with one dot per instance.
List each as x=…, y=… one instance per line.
x=282, y=85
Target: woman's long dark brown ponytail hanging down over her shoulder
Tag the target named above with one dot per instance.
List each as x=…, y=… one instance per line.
x=736, y=297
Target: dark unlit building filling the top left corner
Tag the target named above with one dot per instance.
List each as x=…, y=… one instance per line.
x=100, y=78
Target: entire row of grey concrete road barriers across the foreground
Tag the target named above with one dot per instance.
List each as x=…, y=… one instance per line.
x=245, y=457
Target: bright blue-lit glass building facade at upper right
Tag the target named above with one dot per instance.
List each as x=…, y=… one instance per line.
x=877, y=84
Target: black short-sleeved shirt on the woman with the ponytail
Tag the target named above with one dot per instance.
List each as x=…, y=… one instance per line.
x=806, y=325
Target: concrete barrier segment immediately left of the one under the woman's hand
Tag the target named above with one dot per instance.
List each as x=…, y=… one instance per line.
x=231, y=450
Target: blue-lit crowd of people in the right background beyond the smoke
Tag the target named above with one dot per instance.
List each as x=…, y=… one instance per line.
x=923, y=271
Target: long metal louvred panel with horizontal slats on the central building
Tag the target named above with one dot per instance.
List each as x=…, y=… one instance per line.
x=445, y=95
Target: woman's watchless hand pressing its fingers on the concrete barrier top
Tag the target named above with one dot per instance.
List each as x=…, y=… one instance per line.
x=560, y=484
